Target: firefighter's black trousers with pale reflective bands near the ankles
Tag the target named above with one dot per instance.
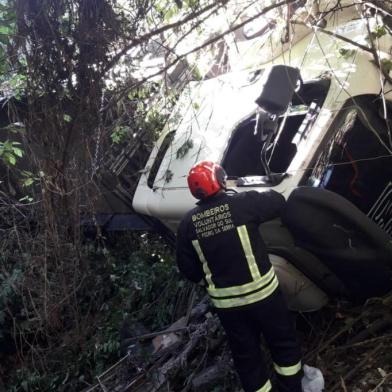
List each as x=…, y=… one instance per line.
x=244, y=326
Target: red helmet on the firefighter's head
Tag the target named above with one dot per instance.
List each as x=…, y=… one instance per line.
x=205, y=179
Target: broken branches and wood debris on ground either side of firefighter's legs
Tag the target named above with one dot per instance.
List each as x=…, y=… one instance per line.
x=348, y=343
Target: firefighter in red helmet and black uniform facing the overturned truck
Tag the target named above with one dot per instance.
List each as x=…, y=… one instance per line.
x=218, y=243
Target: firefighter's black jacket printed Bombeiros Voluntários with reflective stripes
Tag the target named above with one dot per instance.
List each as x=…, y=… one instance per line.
x=219, y=241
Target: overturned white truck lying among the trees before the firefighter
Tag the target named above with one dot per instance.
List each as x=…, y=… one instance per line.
x=312, y=124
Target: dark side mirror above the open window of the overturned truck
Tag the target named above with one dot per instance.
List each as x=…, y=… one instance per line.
x=280, y=83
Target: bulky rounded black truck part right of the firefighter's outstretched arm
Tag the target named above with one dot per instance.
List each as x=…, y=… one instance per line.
x=350, y=244
